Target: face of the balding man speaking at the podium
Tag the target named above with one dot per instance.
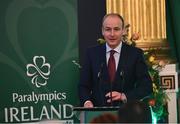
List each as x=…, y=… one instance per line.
x=112, y=31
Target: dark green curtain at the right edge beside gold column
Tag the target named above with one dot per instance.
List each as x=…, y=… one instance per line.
x=173, y=27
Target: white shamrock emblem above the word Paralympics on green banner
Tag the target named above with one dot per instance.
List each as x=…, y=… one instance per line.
x=39, y=71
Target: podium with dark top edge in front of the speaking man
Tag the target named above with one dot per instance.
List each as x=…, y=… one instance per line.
x=87, y=114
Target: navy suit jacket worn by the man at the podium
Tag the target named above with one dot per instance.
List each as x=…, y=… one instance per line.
x=132, y=77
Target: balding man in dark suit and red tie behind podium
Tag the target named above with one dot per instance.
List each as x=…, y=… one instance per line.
x=114, y=72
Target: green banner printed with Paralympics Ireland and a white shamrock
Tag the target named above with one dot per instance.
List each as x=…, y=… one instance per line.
x=38, y=60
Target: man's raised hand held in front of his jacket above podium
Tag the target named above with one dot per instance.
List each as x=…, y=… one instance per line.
x=116, y=96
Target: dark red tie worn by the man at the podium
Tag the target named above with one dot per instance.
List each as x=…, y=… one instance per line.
x=111, y=66
